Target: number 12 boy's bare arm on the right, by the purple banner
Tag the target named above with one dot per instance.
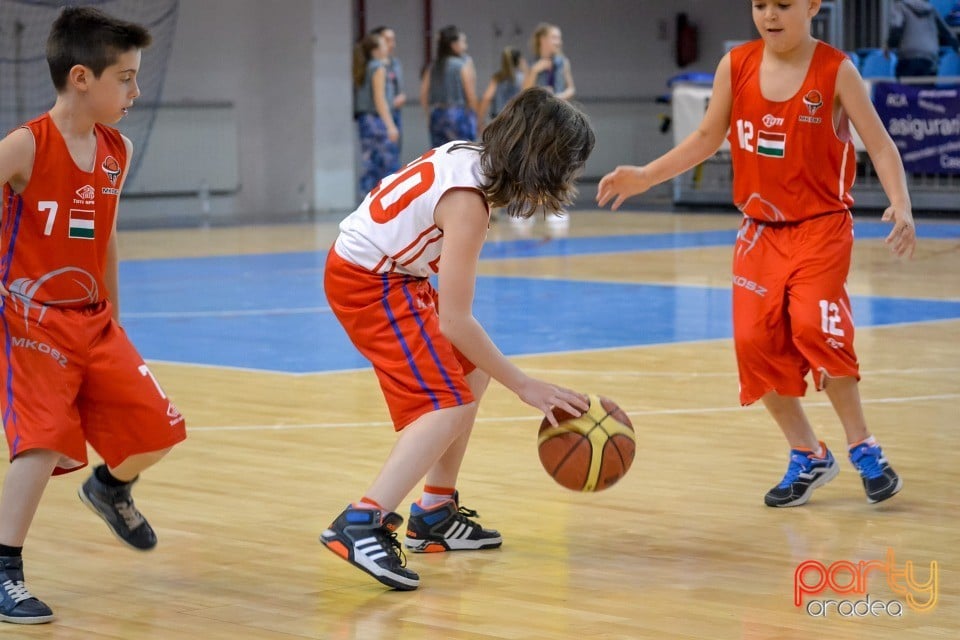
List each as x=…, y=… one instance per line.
x=884, y=155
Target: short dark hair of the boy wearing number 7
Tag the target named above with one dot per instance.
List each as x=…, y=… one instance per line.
x=89, y=37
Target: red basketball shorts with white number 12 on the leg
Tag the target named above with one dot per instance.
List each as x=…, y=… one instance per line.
x=791, y=311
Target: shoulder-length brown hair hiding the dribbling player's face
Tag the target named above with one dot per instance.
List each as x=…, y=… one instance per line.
x=533, y=151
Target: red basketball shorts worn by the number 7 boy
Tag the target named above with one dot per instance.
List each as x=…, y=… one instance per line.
x=71, y=376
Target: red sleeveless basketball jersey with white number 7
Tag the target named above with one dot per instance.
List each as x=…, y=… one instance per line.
x=54, y=235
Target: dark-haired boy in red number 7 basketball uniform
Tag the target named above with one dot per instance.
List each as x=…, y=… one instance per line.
x=69, y=373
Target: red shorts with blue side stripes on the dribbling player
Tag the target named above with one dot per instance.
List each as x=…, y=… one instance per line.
x=393, y=321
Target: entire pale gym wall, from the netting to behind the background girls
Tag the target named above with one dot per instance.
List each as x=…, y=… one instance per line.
x=284, y=64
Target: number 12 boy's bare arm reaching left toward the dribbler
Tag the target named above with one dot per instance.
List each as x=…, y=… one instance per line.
x=626, y=181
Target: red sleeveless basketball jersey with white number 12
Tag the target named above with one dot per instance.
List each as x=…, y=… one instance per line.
x=789, y=163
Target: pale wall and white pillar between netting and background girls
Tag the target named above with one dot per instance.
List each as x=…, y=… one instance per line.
x=285, y=67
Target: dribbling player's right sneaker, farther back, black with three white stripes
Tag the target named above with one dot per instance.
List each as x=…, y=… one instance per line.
x=447, y=527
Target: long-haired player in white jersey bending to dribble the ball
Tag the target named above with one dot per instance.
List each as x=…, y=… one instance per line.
x=434, y=361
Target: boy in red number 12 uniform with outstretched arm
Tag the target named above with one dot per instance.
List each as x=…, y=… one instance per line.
x=787, y=100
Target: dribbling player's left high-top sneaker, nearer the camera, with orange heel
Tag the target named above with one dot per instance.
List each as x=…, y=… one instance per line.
x=367, y=539
